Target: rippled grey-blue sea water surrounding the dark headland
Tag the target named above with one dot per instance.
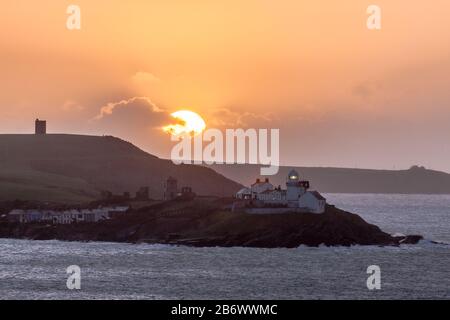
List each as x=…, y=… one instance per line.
x=37, y=269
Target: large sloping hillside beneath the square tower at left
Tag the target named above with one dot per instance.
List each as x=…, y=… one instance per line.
x=75, y=168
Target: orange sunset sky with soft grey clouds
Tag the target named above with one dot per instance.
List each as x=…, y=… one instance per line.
x=342, y=95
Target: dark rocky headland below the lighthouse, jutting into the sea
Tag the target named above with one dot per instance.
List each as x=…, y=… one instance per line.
x=204, y=224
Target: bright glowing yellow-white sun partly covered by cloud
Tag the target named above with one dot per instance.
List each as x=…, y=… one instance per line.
x=188, y=122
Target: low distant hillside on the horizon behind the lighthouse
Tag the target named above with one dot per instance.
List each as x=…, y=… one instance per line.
x=415, y=180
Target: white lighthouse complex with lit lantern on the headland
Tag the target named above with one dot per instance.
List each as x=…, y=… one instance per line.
x=296, y=196
